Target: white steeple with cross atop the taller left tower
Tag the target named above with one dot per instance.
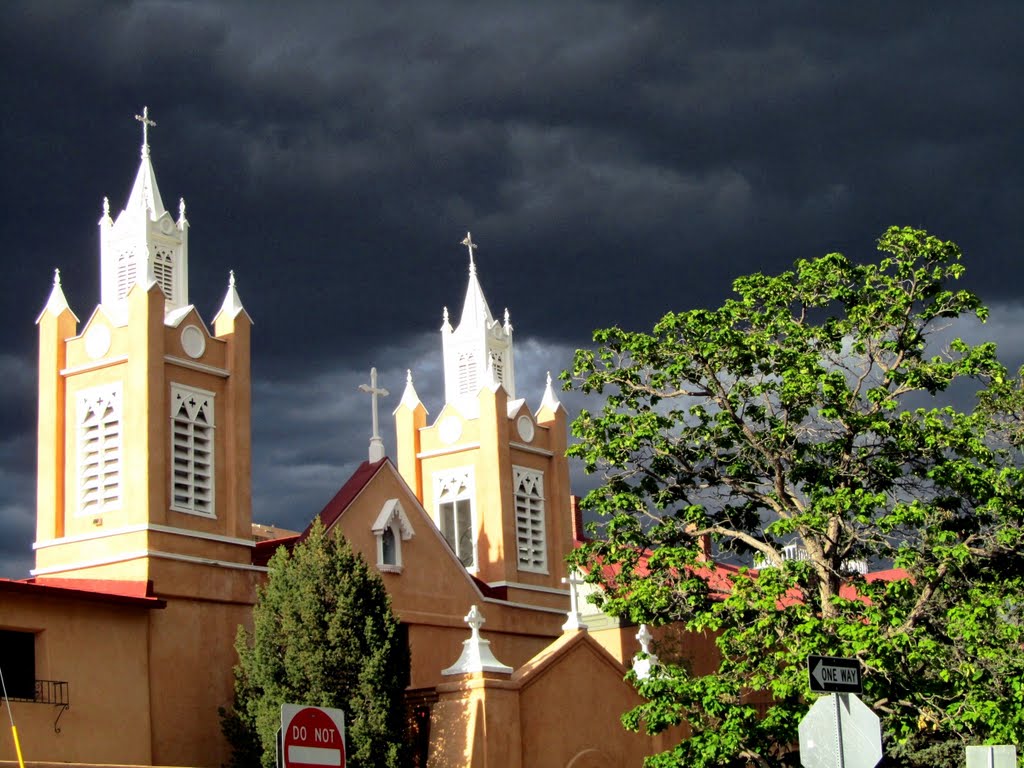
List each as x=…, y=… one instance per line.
x=144, y=244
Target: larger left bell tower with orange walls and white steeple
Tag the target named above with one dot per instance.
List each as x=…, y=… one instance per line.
x=144, y=414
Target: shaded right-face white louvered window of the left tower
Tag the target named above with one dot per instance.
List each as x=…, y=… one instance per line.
x=192, y=451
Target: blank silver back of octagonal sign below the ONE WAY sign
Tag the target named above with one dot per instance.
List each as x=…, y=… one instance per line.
x=840, y=732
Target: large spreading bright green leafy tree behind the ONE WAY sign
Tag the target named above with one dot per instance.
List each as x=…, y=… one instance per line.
x=815, y=409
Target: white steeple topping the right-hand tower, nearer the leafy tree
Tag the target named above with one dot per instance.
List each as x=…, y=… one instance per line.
x=479, y=352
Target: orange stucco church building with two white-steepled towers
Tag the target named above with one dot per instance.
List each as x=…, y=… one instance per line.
x=120, y=651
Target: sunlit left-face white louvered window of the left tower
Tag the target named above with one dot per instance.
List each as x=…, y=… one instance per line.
x=100, y=450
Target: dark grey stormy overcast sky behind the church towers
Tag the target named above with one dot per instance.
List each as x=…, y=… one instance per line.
x=614, y=161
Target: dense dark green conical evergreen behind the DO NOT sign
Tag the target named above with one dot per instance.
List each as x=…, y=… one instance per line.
x=324, y=635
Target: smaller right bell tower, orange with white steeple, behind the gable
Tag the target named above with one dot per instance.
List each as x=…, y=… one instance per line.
x=491, y=473
